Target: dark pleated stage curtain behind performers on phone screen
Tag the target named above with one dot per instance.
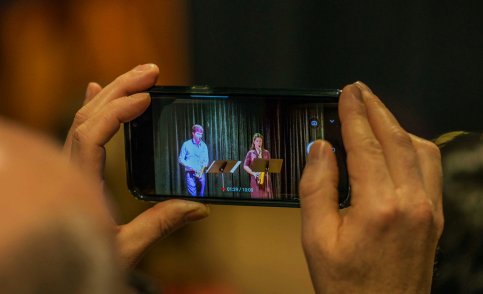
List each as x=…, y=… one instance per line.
x=228, y=129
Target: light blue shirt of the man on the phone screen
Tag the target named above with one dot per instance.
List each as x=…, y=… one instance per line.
x=193, y=156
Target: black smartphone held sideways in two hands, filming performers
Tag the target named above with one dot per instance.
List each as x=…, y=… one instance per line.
x=229, y=145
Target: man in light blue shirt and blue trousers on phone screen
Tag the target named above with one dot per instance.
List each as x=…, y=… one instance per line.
x=194, y=157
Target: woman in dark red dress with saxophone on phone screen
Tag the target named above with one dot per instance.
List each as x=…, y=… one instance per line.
x=260, y=182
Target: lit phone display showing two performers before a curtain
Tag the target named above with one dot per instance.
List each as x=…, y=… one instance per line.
x=236, y=147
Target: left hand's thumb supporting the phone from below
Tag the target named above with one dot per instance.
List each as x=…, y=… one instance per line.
x=154, y=224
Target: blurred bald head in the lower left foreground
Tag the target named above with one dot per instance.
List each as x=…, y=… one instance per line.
x=56, y=234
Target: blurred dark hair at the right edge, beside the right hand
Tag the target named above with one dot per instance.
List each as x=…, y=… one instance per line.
x=459, y=261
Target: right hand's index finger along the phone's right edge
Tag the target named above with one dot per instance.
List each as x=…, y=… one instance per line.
x=367, y=169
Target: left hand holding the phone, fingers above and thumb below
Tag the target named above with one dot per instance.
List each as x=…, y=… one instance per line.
x=94, y=125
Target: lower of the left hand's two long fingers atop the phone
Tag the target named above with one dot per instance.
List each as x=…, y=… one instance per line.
x=89, y=138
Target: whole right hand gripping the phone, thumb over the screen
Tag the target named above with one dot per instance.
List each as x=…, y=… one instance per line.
x=385, y=242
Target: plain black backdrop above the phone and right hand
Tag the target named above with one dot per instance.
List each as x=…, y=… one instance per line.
x=423, y=58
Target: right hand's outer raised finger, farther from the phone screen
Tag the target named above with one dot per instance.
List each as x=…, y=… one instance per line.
x=399, y=152
